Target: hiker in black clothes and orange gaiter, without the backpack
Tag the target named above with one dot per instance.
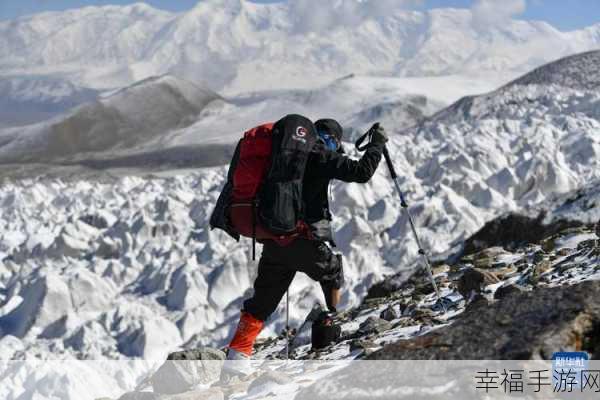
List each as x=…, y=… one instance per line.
x=313, y=256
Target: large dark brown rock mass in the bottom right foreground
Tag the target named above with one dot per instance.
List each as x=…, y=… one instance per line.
x=522, y=325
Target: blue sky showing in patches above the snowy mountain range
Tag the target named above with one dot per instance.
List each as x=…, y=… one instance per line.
x=563, y=14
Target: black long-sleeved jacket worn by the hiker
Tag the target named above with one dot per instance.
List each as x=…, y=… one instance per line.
x=323, y=166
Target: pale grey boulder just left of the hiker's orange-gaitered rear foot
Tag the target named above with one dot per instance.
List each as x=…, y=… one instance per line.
x=186, y=369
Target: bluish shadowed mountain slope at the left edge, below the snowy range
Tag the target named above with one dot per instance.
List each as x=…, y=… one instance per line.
x=29, y=99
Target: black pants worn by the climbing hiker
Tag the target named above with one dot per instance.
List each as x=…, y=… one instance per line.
x=278, y=266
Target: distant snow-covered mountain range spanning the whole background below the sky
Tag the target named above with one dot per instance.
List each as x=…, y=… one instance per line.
x=242, y=46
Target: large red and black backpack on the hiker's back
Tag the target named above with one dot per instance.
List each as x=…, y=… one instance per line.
x=262, y=198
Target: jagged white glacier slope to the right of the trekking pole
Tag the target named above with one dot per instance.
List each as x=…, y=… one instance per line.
x=502, y=151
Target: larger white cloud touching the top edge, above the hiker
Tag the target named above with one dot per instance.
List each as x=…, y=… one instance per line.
x=319, y=15
